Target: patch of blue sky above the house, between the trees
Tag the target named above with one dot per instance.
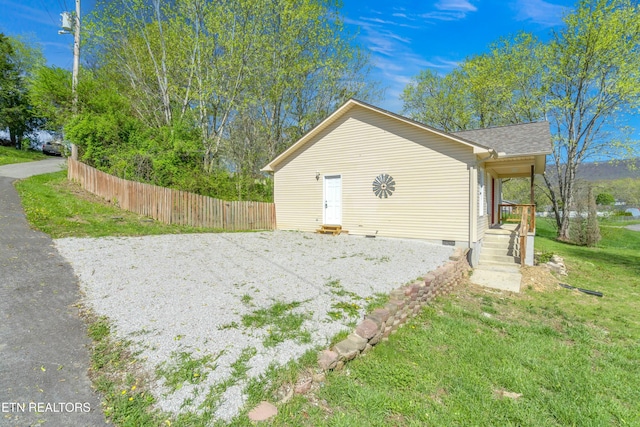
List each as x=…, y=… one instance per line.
x=405, y=37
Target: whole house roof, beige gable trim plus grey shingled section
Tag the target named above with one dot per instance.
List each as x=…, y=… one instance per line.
x=523, y=139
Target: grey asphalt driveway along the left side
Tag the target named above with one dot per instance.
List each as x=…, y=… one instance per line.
x=43, y=343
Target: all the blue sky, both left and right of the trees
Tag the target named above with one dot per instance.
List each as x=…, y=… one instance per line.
x=403, y=36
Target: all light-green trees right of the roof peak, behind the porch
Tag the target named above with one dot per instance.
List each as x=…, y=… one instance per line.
x=583, y=81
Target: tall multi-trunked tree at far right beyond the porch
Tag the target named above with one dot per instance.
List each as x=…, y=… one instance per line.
x=593, y=68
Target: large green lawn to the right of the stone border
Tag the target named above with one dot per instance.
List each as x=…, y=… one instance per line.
x=479, y=357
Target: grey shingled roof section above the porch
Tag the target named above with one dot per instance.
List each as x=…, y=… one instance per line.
x=524, y=139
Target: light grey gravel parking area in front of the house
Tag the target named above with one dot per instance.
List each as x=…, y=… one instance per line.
x=188, y=293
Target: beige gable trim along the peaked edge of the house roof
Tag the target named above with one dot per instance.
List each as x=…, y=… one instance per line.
x=351, y=103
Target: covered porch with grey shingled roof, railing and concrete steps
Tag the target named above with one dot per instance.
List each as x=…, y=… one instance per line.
x=506, y=228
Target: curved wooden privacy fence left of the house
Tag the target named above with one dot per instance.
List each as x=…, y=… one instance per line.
x=173, y=206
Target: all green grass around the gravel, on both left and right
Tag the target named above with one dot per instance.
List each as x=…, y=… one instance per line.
x=545, y=357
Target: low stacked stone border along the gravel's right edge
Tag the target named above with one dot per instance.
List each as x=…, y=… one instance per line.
x=405, y=302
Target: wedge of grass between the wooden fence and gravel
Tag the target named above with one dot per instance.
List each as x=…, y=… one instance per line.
x=62, y=209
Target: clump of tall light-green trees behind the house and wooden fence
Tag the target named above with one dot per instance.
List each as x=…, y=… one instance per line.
x=249, y=75
